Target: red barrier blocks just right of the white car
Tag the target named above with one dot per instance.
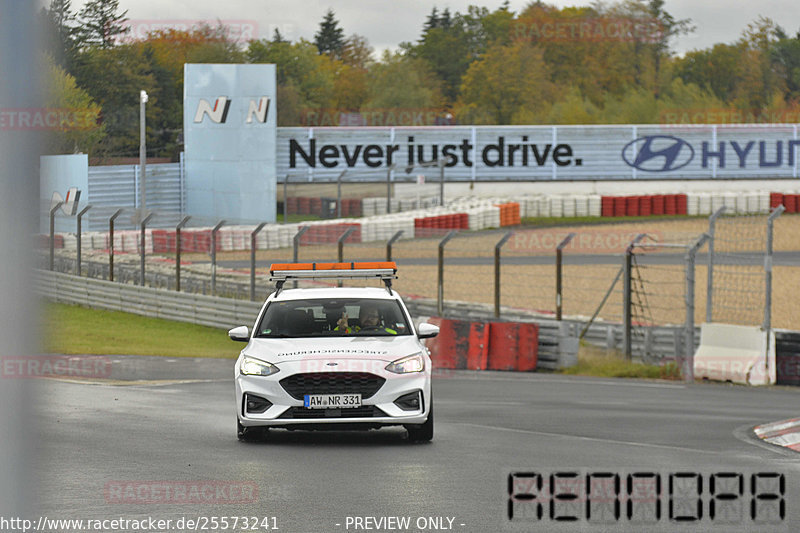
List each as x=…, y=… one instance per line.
x=474, y=345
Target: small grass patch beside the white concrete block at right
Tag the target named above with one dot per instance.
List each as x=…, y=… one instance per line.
x=594, y=361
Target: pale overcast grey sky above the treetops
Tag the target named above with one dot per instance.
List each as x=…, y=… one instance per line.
x=386, y=23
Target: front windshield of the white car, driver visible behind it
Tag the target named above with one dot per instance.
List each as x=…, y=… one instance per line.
x=327, y=317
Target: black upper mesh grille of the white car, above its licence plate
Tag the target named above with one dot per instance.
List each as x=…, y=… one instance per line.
x=362, y=383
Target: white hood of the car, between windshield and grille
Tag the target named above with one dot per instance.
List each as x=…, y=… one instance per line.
x=388, y=349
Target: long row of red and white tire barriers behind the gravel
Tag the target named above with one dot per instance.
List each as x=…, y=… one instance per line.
x=469, y=213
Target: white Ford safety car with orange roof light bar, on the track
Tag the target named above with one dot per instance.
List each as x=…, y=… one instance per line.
x=334, y=357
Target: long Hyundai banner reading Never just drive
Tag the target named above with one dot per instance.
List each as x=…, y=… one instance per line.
x=540, y=153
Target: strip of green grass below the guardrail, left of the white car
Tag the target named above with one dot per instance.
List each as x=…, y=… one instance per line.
x=79, y=330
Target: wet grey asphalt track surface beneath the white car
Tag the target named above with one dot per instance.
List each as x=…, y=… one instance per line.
x=107, y=449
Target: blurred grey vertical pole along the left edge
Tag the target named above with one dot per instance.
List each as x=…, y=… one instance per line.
x=19, y=214
